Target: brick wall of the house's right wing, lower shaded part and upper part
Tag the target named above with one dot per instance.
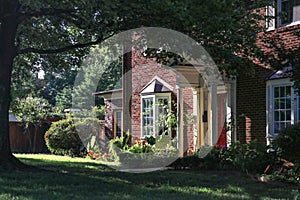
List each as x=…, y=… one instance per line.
x=251, y=88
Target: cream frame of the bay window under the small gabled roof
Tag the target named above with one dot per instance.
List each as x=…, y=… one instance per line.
x=156, y=97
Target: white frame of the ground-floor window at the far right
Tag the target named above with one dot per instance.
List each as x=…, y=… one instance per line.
x=271, y=84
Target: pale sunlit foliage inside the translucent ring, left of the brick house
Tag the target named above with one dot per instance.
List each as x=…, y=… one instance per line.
x=98, y=73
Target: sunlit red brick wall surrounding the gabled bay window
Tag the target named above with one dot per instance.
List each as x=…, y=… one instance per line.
x=143, y=71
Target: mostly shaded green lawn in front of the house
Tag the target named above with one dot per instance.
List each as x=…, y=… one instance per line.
x=61, y=177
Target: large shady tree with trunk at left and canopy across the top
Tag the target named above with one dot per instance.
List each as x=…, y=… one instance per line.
x=55, y=34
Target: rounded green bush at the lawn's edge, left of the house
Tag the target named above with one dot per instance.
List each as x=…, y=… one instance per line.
x=62, y=138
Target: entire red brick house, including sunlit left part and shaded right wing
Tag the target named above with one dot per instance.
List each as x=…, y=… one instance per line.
x=257, y=105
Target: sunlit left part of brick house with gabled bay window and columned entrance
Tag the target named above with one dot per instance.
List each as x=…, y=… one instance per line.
x=150, y=89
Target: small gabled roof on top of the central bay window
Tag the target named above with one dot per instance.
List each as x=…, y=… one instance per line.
x=157, y=85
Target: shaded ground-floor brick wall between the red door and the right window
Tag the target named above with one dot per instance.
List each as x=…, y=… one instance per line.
x=251, y=105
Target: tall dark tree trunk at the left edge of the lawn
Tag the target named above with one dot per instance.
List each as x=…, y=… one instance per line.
x=8, y=30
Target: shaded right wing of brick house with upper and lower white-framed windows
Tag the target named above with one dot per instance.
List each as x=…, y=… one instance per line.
x=266, y=100
